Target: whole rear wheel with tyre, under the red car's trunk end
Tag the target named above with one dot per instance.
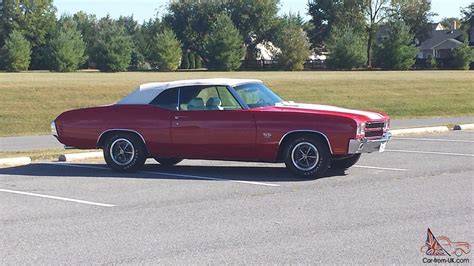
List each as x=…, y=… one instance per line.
x=124, y=152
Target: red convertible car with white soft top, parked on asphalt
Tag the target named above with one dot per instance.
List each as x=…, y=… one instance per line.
x=222, y=119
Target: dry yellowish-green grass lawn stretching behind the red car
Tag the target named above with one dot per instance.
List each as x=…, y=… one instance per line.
x=29, y=101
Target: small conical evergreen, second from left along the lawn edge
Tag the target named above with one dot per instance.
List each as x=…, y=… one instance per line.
x=67, y=47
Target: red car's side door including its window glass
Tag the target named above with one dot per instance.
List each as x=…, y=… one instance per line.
x=211, y=124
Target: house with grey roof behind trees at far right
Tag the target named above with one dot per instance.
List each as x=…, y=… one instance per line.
x=441, y=43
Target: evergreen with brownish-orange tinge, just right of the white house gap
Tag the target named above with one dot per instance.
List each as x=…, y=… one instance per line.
x=293, y=45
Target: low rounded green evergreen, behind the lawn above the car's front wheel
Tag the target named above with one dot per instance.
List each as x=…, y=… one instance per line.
x=347, y=49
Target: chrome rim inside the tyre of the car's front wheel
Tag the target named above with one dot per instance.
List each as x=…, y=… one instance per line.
x=305, y=156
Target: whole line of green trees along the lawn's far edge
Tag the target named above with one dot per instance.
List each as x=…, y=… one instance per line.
x=220, y=35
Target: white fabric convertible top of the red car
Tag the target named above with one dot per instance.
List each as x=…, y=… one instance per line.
x=147, y=92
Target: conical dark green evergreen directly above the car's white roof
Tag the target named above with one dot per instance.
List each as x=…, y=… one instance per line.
x=224, y=47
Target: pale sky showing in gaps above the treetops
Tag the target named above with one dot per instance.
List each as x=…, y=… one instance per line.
x=145, y=9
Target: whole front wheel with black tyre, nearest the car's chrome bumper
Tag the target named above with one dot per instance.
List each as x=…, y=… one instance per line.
x=307, y=157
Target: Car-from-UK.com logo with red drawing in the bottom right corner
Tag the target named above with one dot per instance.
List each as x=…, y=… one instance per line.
x=441, y=249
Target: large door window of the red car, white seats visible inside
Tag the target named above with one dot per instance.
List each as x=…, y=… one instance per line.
x=207, y=98
